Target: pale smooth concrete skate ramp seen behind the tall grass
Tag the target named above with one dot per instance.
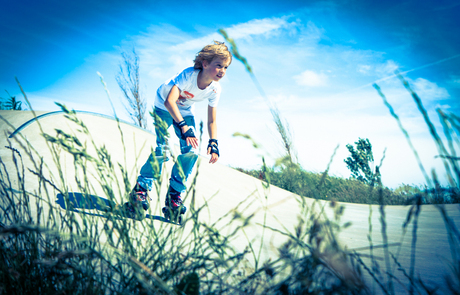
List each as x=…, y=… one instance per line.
x=224, y=194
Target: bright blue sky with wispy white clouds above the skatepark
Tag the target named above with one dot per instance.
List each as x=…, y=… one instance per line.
x=316, y=60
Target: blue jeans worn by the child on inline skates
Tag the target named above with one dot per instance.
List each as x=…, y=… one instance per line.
x=185, y=162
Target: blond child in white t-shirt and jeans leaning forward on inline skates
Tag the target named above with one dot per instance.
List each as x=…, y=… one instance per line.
x=174, y=105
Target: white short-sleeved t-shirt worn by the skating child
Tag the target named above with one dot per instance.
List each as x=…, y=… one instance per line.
x=187, y=83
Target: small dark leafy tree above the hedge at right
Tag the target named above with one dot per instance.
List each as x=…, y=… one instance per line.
x=360, y=162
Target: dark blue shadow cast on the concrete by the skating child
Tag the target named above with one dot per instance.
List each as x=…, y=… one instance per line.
x=81, y=201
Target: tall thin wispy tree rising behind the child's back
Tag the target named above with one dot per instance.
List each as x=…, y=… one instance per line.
x=128, y=80
